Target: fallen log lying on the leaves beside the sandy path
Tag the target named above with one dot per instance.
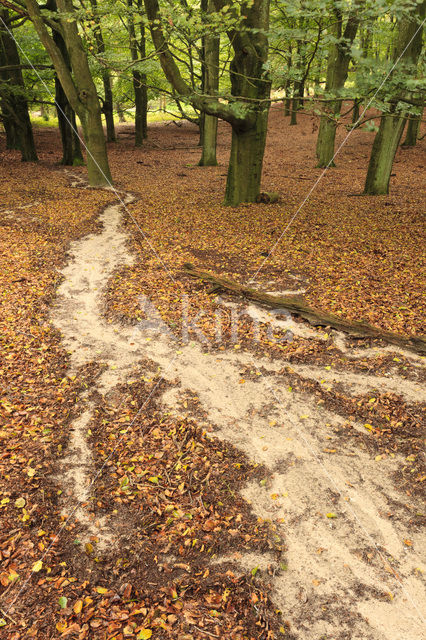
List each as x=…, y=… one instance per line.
x=297, y=305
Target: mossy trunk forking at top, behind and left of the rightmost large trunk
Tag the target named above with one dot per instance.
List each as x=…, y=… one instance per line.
x=337, y=73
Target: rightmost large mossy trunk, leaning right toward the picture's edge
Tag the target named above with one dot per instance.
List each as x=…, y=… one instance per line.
x=406, y=51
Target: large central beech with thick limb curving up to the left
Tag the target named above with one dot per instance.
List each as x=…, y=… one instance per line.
x=247, y=107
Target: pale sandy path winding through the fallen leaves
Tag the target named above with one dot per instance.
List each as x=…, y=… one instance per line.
x=350, y=576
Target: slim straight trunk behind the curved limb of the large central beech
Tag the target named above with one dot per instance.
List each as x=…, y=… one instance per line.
x=208, y=127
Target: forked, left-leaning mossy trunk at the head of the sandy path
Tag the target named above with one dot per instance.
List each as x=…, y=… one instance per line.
x=79, y=86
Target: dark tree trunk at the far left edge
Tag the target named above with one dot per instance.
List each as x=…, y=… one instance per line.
x=18, y=126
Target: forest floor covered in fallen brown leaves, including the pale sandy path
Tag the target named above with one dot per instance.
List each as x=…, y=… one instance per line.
x=177, y=464
